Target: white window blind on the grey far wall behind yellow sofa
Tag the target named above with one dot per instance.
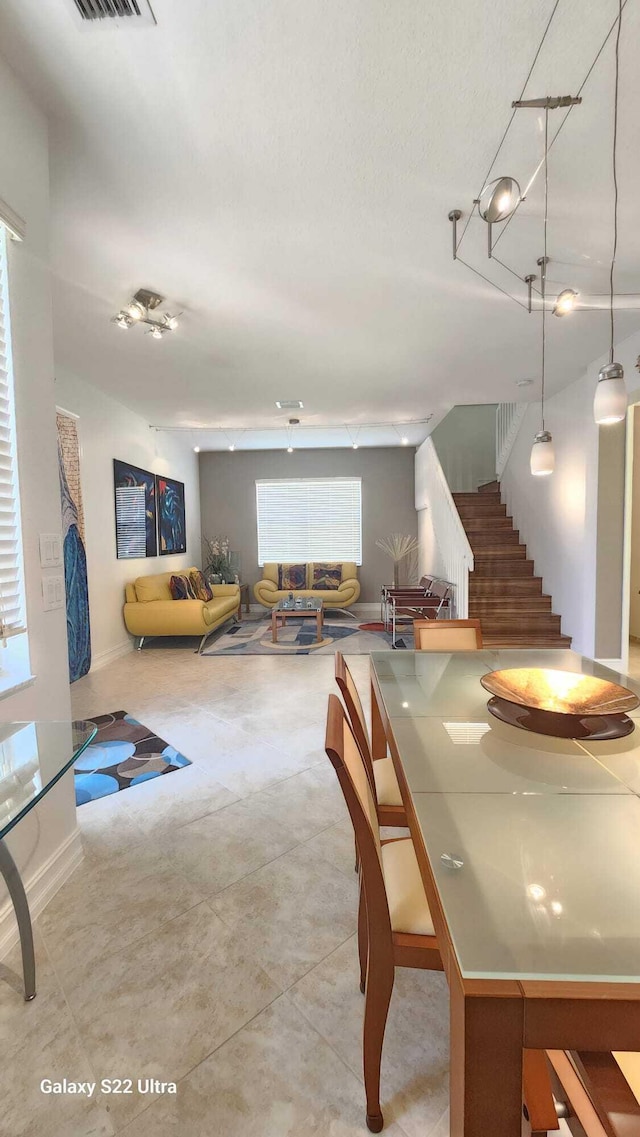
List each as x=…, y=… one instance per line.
x=310, y=519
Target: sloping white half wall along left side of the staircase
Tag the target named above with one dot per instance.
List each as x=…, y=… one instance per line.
x=455, y=552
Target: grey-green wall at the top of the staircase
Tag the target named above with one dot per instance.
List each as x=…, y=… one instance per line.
x=466, y=442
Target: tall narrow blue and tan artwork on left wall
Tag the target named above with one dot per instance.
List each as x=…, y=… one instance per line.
x=79, y=632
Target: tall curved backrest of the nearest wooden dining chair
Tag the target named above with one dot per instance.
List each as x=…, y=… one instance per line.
x=345, y=756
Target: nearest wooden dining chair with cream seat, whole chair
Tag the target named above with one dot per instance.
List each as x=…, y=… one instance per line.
x=395, y=925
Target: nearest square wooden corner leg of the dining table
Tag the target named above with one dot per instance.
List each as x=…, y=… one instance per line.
x=487, y=1056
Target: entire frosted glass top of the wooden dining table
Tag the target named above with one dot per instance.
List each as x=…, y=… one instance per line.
x=535, y=842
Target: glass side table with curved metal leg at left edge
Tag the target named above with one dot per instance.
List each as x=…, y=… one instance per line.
x=34, y=758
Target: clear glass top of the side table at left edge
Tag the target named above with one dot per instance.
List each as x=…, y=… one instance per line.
x=34, y=758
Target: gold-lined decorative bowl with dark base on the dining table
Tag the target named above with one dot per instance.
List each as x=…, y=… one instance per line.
x=564, y=704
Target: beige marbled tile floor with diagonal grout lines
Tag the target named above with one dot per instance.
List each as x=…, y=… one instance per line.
x=209, y=937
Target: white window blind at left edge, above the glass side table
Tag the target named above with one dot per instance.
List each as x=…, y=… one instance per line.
x=12, y=590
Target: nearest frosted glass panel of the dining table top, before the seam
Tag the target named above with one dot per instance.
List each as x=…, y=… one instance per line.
x=547, y=886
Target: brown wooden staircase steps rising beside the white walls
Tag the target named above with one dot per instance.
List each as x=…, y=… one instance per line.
x=505, y=595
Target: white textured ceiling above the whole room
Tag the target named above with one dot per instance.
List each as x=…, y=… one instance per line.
x=282, y=171
